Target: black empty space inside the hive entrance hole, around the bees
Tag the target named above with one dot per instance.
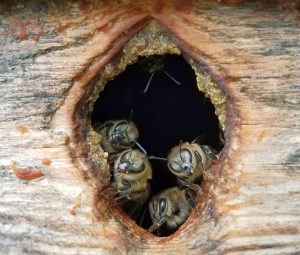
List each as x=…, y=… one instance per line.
x=164, y=115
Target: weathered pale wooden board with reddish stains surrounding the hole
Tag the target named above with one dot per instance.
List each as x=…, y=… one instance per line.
x=46, y=63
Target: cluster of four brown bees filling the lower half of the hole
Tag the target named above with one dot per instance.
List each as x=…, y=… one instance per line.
x=132, y=171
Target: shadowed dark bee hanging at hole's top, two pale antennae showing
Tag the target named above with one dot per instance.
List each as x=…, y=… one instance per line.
x=153, y=64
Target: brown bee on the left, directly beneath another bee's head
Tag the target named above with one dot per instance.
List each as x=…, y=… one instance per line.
x=132, y=172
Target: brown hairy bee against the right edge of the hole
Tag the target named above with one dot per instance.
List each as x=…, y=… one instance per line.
x=189, y=161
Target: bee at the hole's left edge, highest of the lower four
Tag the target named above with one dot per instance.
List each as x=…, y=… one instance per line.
x=118, y=135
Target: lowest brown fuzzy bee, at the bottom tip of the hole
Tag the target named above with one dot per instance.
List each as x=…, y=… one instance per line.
x=170, y=208
